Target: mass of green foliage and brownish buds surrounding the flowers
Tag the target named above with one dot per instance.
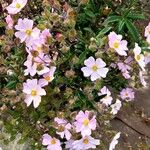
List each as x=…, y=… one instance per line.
x=84, y=34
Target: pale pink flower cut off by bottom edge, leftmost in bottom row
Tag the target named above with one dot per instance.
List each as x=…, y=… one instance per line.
x=51, y=143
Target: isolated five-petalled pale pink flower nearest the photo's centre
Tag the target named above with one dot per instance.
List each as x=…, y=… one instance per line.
x=94, y=68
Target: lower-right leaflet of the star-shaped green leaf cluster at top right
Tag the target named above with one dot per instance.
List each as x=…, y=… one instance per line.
x=132, y=30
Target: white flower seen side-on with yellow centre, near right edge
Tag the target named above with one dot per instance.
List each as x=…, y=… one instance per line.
x=139, y=57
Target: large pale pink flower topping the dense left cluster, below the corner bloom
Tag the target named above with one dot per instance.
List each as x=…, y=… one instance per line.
x=25, y=31
